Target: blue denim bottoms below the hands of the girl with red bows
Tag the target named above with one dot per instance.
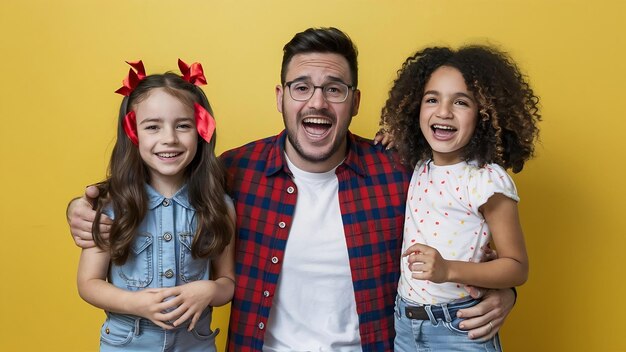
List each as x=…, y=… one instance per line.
x=129, y=334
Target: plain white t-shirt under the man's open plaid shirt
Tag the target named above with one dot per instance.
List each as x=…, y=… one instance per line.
x=314, y=307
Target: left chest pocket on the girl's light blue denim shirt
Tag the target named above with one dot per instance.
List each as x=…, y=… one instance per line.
x=137, y=272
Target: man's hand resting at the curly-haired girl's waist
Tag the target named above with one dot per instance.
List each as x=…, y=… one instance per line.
x=485, y=319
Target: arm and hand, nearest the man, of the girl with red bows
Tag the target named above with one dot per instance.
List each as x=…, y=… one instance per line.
x=194, y=297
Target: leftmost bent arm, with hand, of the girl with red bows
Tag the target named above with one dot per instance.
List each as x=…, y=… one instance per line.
x=95, y=290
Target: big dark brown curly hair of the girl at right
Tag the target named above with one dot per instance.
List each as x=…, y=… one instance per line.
x=508, y=112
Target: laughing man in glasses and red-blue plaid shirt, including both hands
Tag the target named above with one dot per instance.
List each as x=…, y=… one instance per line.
x=320, y=217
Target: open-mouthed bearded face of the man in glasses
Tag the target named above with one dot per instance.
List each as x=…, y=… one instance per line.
x=316, y=128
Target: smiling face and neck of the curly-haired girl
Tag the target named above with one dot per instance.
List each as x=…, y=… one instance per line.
x=448, y=115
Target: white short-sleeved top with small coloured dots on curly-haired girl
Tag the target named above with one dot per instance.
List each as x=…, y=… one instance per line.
x=442, y=212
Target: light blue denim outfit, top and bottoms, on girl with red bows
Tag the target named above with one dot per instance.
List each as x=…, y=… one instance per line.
x=159, y=257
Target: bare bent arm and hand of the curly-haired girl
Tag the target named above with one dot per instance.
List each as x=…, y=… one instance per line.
x=508, y=270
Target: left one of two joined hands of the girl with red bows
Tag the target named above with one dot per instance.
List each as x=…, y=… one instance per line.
x=150, y=304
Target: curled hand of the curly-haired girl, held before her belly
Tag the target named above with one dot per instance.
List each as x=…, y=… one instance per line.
x=426, y=263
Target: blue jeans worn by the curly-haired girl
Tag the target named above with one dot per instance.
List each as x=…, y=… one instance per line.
x=438, y=332
